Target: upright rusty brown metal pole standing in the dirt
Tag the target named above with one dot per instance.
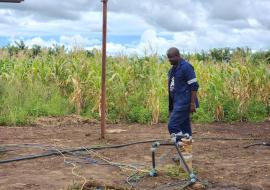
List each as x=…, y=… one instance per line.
x=103, y=77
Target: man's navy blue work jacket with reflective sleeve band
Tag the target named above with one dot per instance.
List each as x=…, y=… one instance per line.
x=181, y=81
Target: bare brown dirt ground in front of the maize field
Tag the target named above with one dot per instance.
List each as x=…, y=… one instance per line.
x=224, y=164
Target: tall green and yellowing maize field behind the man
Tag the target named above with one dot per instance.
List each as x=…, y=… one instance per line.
x=234, y=85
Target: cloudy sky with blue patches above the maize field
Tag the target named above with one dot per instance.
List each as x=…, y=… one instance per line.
x=139, y=26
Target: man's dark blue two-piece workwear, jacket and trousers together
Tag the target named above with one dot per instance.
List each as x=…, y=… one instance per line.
x=181, y=81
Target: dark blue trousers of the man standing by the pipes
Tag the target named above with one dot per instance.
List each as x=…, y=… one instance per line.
x=180, y=122
